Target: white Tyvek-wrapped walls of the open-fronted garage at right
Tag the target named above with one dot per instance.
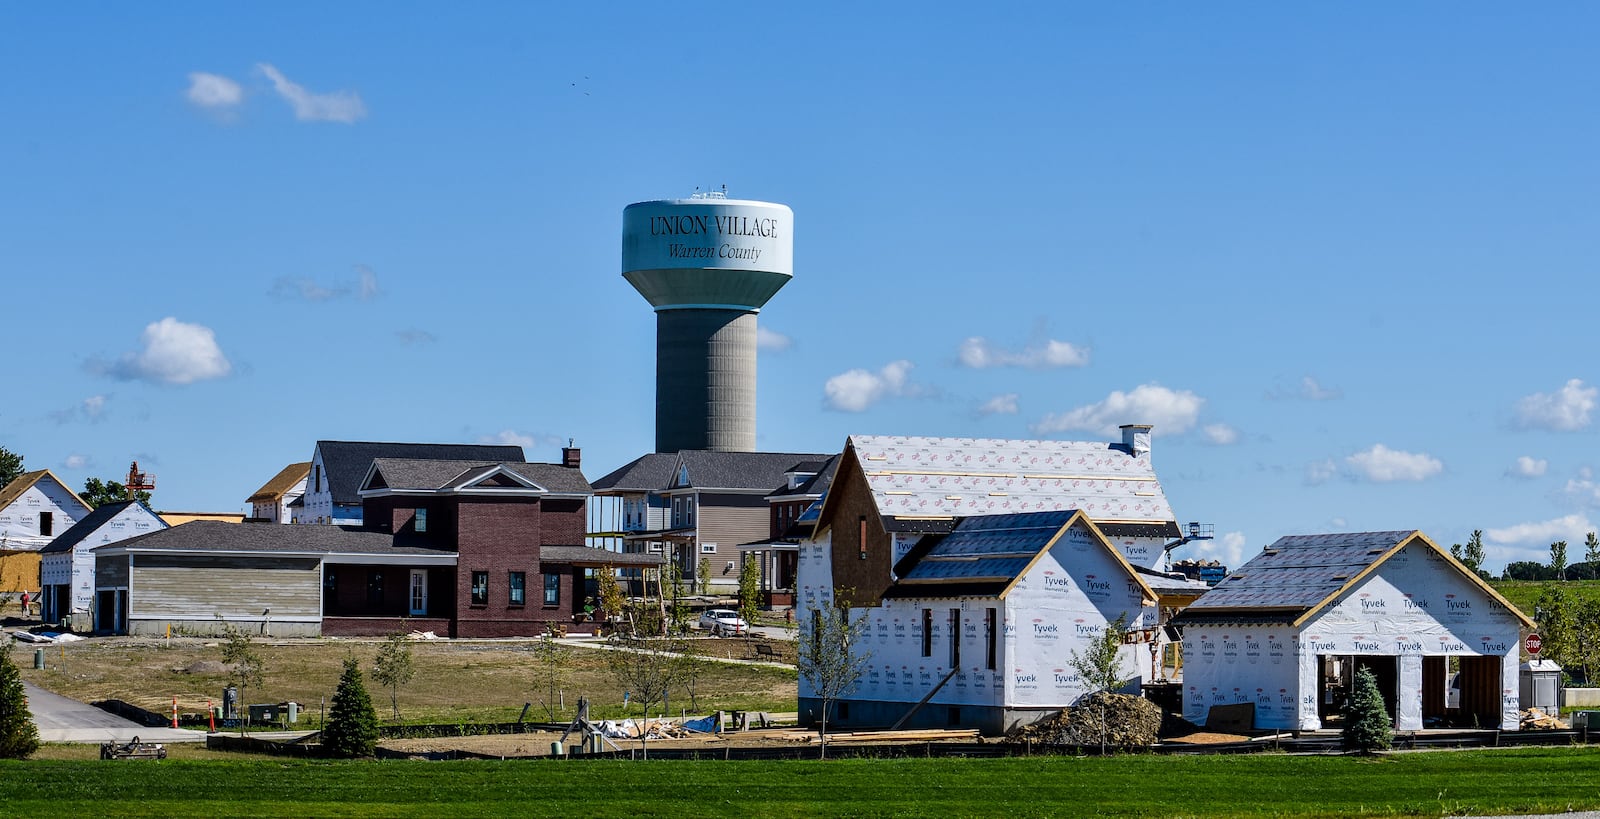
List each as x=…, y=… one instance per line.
x=1414, y=605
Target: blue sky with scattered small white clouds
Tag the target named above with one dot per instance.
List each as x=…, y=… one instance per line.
x=1342, y=257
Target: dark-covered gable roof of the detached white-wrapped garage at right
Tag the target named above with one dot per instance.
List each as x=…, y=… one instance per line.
x=1300, y=575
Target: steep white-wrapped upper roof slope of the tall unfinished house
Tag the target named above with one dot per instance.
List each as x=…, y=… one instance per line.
x=938, y=479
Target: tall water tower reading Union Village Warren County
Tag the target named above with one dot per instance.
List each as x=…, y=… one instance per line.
x=706, y=265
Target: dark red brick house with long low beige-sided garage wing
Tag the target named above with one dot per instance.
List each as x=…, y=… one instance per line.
x=460, y=548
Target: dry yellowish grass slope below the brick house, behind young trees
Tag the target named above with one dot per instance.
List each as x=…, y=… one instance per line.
x=455, y=681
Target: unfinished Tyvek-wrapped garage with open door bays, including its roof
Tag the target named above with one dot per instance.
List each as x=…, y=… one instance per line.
x=1287, y=633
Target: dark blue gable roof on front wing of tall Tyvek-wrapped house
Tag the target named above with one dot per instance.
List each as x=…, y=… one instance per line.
x=990, y=554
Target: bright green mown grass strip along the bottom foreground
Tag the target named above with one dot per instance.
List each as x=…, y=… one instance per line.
x=1406, y=785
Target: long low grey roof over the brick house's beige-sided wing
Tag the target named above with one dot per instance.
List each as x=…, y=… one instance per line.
x=217, y=537
